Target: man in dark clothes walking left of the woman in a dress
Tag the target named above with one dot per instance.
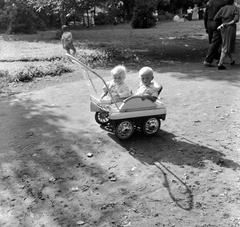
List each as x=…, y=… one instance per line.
x=214, y=35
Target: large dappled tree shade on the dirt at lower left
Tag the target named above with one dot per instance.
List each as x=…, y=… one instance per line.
x=46, y=175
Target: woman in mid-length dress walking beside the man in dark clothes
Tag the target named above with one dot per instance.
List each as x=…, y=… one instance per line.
x=229, y=16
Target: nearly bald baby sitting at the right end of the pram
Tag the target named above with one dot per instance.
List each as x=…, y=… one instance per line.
x=147, y=88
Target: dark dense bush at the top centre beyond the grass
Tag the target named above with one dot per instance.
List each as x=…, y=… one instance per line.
x=143, y=14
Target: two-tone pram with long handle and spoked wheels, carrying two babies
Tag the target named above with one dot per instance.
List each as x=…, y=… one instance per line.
x=133, y=113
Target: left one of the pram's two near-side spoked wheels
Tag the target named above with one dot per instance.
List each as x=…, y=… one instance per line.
x=124, y=129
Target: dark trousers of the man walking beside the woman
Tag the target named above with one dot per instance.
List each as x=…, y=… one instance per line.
x=215, y=41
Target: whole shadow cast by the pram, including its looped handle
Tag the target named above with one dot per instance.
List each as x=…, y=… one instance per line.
x=165, y=147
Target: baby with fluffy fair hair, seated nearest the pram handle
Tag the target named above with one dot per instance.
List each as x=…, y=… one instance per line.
x=118, y=88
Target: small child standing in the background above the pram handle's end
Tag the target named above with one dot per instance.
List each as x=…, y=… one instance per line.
x=67, y=40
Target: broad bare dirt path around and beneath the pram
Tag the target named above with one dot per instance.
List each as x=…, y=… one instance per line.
x=186, y=175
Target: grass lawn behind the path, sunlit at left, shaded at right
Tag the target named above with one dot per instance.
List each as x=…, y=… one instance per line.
x=103, y=46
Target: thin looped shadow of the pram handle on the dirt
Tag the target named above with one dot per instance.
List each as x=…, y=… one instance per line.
x=166, y=185
